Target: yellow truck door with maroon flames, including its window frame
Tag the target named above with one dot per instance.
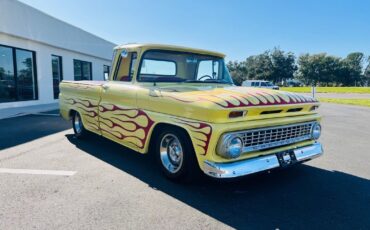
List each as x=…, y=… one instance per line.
x=118, y=110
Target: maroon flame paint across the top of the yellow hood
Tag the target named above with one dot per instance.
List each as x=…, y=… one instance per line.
x=246, y=98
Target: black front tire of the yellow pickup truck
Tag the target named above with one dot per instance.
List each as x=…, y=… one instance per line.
x=188, y=169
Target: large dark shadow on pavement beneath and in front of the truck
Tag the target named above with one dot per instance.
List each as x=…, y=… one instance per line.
x=297, y=198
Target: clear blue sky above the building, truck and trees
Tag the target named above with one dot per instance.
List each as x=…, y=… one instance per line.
x=236, y=28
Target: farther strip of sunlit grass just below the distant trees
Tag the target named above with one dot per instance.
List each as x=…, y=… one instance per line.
x=327, y=89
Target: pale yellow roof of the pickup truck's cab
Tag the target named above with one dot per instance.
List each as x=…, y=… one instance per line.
x=148, y=46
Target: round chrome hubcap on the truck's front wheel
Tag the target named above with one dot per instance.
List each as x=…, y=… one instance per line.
x=171, y=153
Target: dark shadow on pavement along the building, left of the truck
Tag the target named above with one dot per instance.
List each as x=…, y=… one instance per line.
x=19, y=130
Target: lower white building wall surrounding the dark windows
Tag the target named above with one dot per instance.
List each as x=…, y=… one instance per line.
x=43, y=65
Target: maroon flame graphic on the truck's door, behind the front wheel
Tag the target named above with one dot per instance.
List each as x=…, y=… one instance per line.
x=126, y=124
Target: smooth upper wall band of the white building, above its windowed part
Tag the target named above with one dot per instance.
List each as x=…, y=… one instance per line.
x=21, y=20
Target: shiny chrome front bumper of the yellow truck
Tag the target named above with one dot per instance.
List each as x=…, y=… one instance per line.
x=258, y=164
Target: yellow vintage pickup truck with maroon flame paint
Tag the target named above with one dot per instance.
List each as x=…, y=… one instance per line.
x=181, y=105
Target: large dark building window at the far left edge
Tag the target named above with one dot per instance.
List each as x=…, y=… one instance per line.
x=18, y=81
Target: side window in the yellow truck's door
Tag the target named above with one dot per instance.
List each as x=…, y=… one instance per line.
x=125, y=67
